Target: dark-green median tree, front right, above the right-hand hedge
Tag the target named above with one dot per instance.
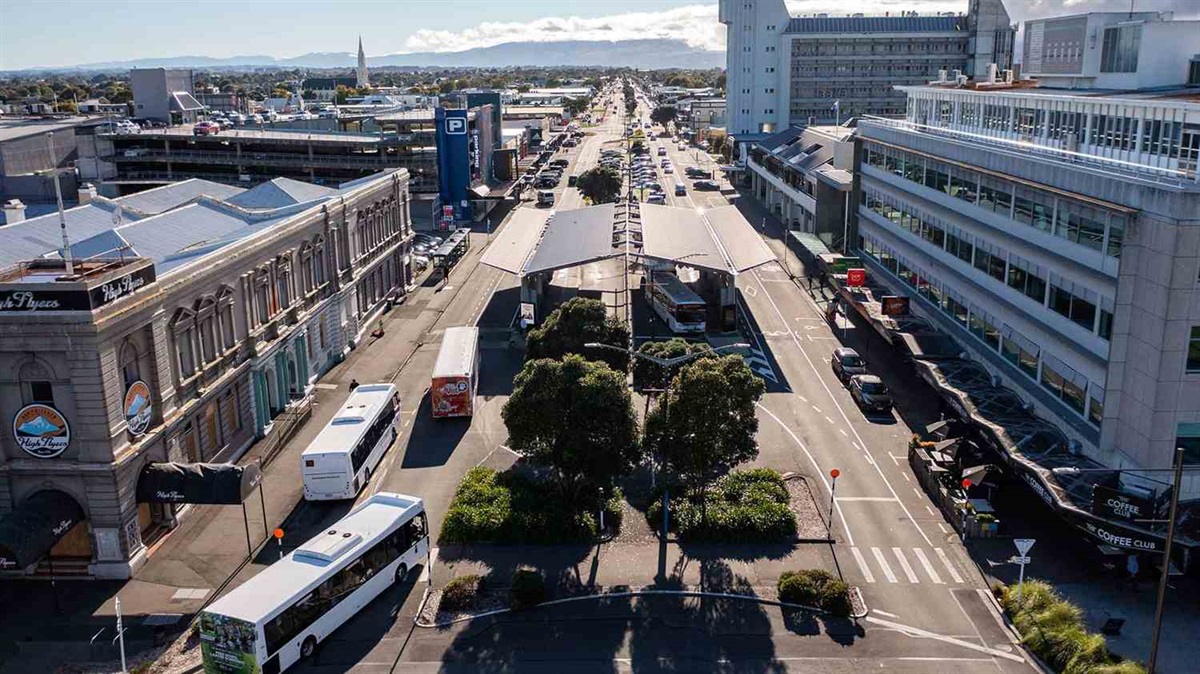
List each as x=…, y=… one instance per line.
x=706, y=424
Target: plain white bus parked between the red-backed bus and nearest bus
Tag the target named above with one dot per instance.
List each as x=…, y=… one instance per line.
x=340, y=460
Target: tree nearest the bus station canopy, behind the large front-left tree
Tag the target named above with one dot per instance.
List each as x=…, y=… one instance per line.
x=575, y=323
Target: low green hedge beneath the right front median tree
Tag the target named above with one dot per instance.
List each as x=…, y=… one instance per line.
x=746, y=507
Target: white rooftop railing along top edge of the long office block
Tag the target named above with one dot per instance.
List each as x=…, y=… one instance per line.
x=1022, y=149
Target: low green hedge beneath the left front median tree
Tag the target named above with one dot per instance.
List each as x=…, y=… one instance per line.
x=507, y=508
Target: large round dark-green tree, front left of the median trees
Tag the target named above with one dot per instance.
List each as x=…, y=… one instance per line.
x=574, y=418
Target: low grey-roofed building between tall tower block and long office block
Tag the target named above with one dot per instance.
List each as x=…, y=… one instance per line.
x=803, y=176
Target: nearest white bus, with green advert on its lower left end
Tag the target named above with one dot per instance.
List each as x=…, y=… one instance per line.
x=279, y=617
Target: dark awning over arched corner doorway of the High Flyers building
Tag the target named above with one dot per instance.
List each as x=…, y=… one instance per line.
x=28, y=533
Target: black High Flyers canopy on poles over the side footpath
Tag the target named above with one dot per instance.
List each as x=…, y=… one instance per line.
x=197, y=483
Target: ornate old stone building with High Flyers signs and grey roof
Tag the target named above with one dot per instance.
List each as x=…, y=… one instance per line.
x=197, y=318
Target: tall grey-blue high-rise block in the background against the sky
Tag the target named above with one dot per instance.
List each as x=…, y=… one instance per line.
x=787, y=71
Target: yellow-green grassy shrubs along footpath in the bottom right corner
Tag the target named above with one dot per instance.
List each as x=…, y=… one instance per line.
x=1055, y=631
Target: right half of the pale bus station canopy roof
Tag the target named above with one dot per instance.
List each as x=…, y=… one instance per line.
x=717, y=239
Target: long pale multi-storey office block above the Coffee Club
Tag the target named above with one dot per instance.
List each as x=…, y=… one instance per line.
x=1054, y=234
